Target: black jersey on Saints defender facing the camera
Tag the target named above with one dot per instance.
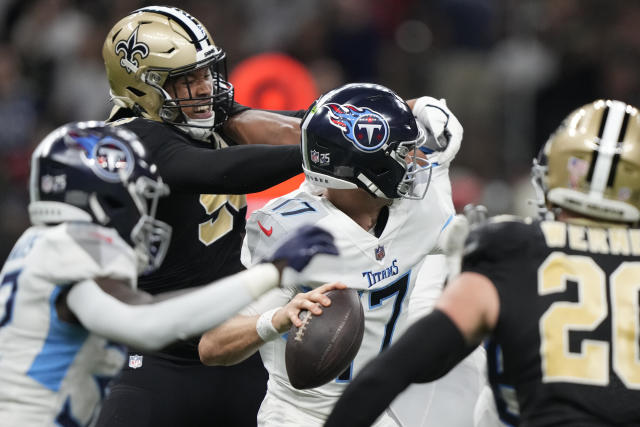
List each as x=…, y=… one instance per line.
x=207, y=205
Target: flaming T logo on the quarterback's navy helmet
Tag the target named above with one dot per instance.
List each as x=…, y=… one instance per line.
x=365, y=128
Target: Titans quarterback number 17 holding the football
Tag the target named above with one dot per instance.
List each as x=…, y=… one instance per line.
x=361, y=150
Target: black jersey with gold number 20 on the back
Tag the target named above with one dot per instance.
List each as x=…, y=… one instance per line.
x=569, y=323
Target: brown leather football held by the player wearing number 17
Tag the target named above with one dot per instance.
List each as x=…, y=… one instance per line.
x=324, y=346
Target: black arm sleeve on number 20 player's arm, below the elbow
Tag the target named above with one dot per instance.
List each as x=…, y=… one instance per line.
x=413, y=358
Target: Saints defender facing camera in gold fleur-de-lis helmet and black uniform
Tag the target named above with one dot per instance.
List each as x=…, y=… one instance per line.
x=168, y=84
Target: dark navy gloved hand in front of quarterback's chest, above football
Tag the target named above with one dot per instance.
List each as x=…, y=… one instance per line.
x=293, y=256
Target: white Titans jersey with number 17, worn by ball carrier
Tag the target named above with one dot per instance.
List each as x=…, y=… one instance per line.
x=382, y=268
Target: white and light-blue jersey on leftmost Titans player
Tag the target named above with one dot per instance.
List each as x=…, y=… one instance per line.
x=53, y=372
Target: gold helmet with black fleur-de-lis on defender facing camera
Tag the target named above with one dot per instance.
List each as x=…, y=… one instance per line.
x=154, y=48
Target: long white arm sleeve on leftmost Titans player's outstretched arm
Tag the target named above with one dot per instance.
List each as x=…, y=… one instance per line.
x=153, y=326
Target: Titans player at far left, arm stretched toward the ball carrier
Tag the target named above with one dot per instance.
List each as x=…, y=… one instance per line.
x=69, y=286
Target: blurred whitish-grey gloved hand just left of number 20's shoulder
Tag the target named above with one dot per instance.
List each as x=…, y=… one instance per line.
x=453, y=237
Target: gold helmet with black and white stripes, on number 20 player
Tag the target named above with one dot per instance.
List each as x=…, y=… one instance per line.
x=591, y=164
